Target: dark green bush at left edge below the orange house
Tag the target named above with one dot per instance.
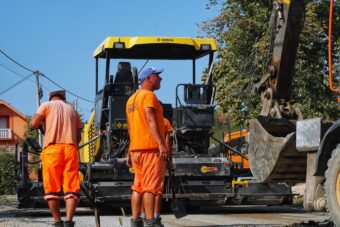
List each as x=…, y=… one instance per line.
x=7, y=174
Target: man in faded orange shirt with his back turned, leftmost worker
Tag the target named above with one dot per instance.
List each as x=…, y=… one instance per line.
x=60, y=155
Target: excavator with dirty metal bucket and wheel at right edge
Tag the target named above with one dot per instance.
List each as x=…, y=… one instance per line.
x=284, y=147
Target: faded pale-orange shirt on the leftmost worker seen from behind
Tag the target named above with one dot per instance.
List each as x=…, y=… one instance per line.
x=61, y=122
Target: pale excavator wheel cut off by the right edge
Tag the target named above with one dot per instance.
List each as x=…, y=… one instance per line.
x=333, y=186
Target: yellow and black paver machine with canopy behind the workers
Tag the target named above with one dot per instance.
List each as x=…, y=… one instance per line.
x=202, y=176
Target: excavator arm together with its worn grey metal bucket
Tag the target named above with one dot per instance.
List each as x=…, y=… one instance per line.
x=272, y=136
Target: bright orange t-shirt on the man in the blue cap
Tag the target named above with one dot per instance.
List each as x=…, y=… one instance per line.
x=139, y=132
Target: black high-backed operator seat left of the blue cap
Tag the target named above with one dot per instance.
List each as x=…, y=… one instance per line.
x=123, y=81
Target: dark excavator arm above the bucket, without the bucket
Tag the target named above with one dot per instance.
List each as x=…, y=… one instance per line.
x=286, y=22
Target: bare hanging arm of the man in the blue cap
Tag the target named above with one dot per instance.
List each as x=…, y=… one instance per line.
x=152, y=124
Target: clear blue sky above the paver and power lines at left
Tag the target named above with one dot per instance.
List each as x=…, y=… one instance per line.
x=58, y=39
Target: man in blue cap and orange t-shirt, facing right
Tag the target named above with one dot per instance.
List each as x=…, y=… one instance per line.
x=148, y=150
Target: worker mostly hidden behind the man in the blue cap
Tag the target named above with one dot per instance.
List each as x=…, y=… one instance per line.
x=158, y=199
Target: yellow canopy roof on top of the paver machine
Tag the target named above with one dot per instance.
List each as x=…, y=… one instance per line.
x=171, y=48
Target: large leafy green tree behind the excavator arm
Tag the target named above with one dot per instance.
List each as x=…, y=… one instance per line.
x=242, y=32
